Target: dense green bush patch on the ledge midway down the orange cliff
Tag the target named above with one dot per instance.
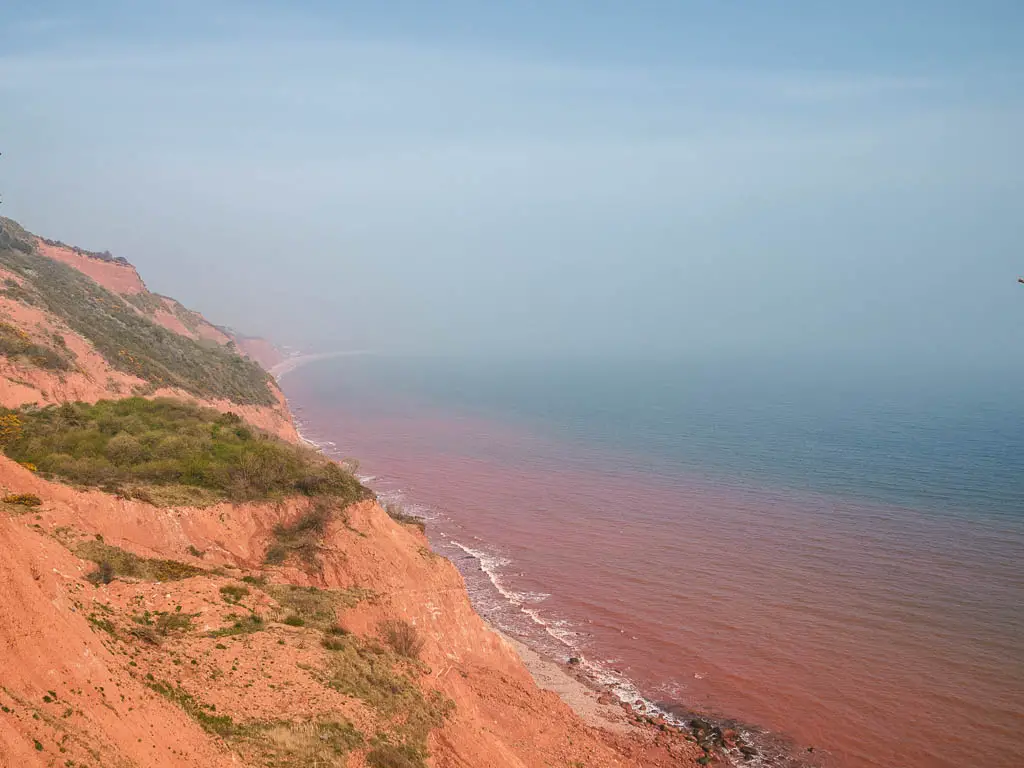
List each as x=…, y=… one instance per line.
x=143, y=448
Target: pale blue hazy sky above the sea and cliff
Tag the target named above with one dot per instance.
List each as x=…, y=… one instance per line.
x=540, y=178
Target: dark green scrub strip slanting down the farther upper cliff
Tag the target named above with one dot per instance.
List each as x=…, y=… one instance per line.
x=130, y=340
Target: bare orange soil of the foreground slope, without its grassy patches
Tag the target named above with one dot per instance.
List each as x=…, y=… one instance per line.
x=501, y=717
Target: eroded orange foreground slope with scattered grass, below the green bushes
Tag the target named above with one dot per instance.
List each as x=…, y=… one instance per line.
x=93, y=674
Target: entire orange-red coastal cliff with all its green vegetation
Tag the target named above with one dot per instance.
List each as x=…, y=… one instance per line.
x=183, y=583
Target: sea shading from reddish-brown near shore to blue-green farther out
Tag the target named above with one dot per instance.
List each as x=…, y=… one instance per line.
x=830, y=557
